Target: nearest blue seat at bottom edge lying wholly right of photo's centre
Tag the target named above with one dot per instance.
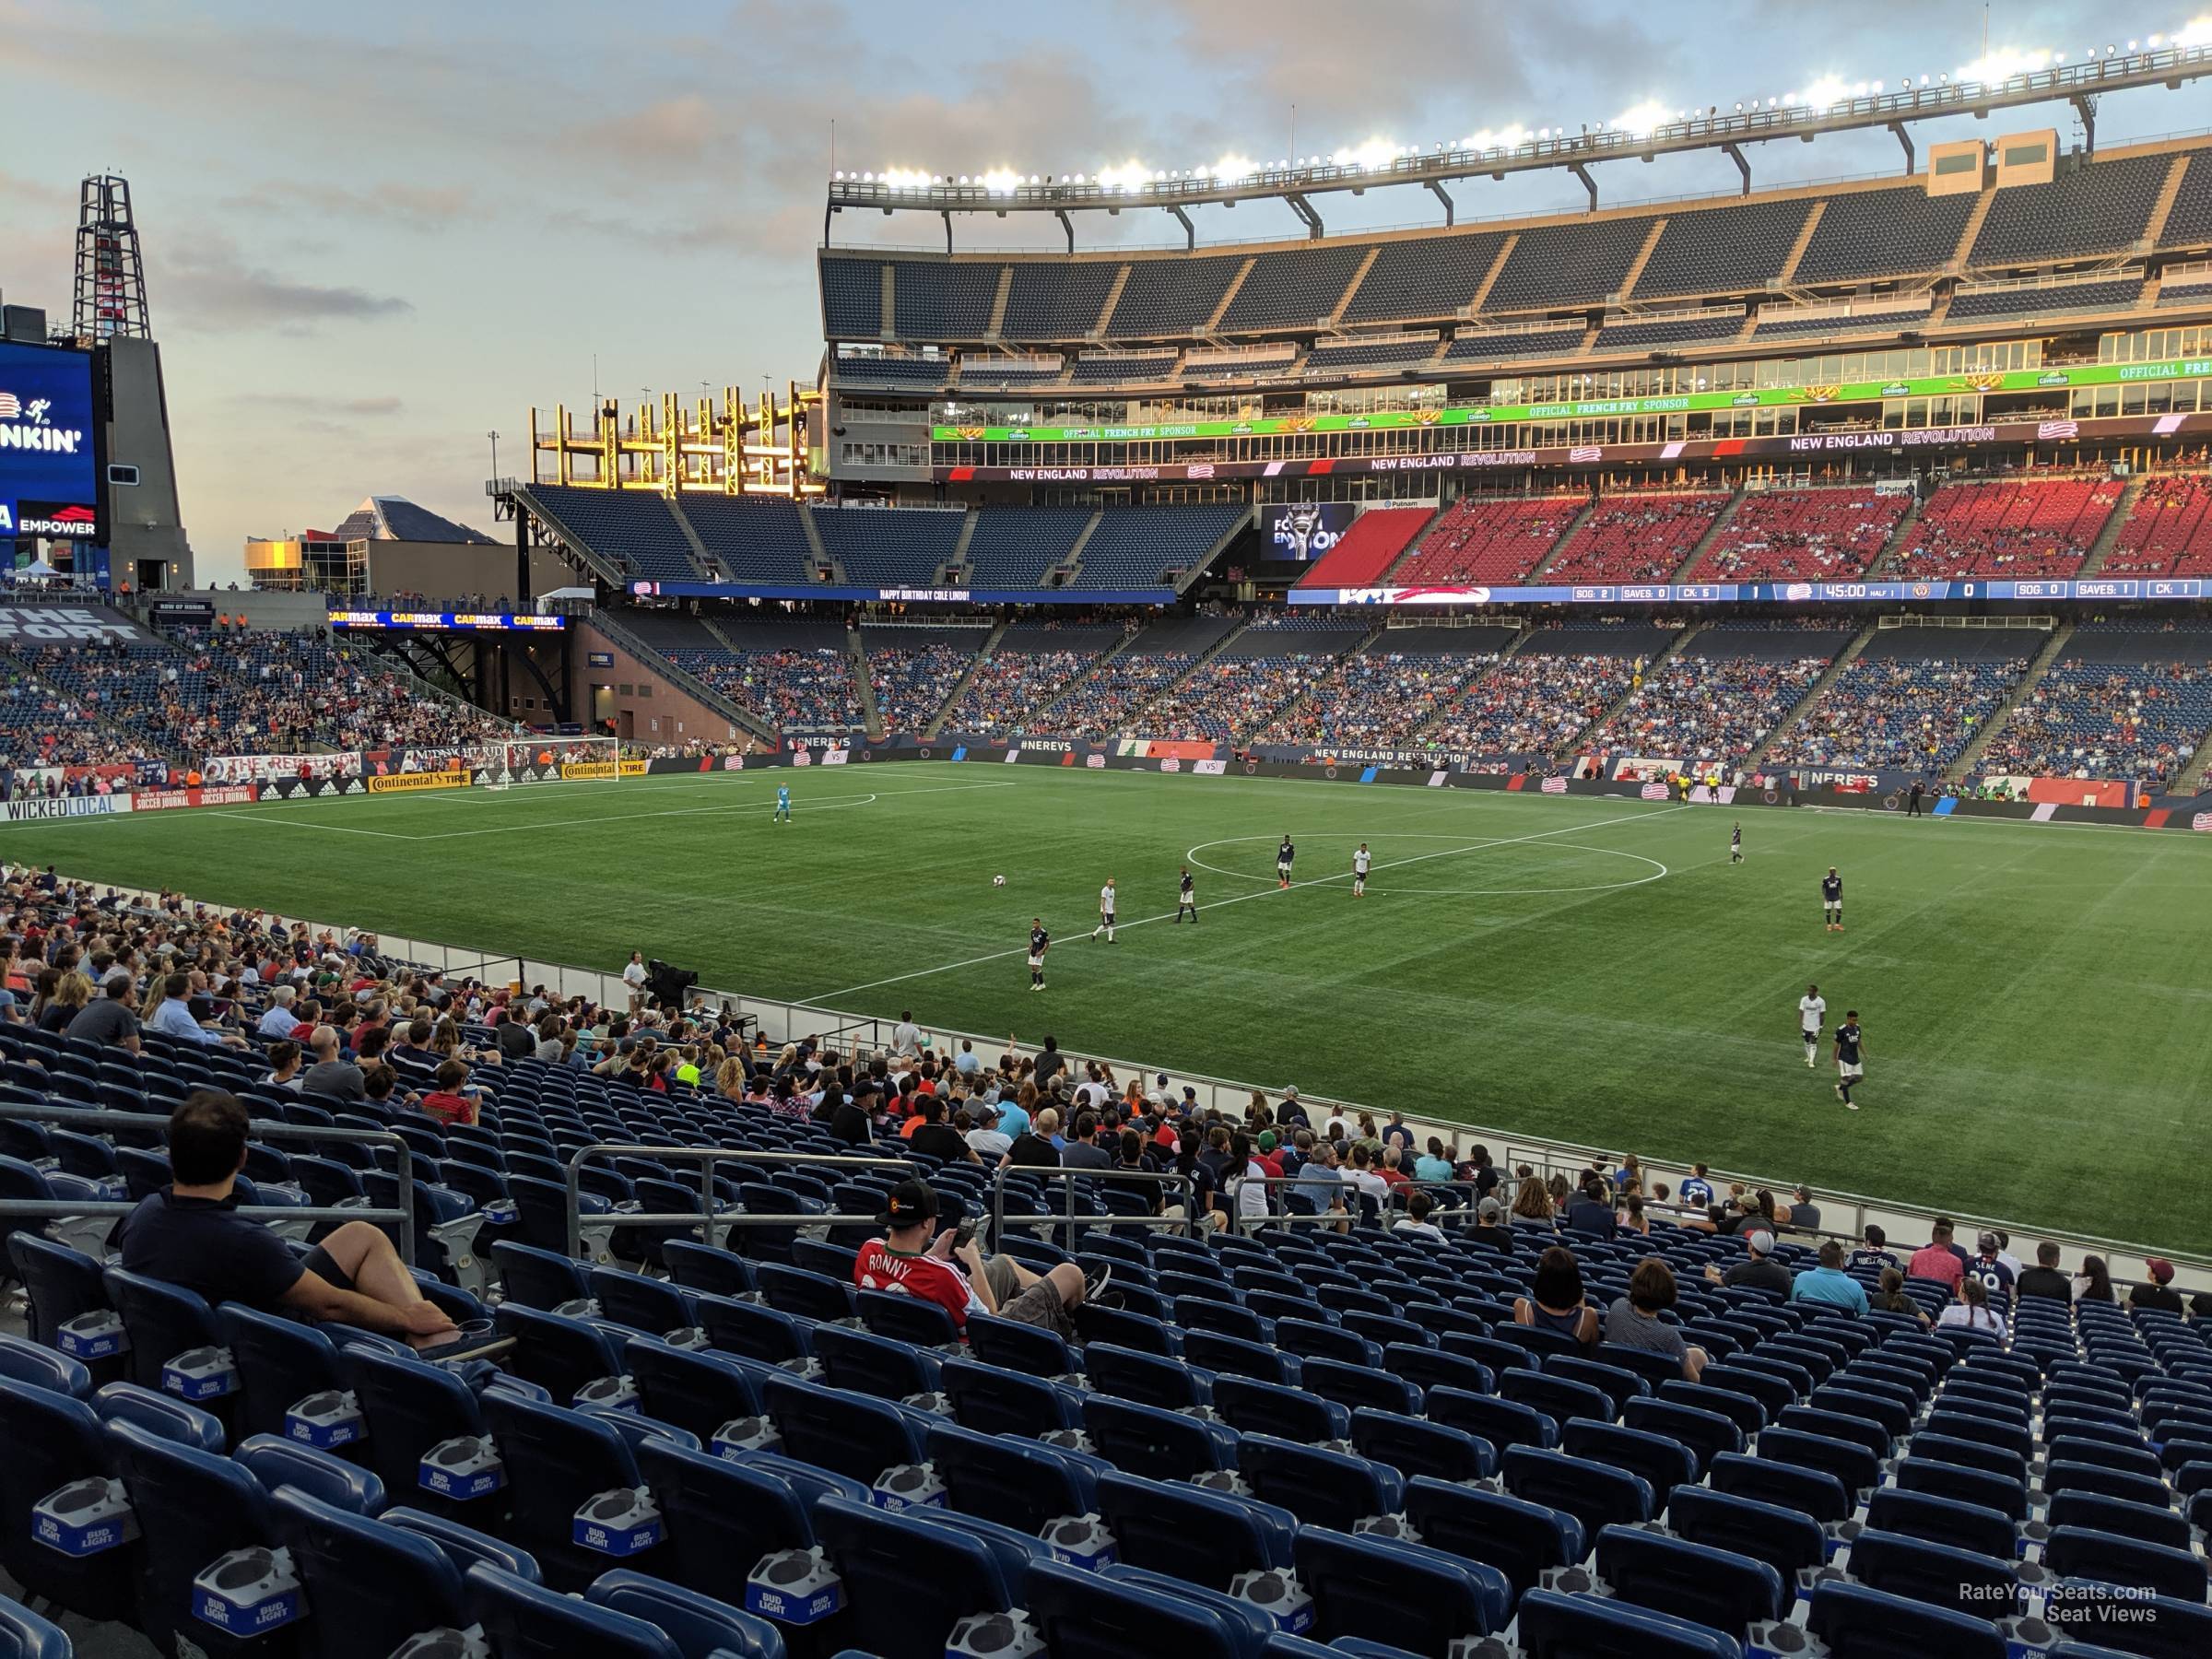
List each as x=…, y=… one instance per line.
x=1421, y=1598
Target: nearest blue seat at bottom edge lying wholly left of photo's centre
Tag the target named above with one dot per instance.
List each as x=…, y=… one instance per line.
x=910, y=1578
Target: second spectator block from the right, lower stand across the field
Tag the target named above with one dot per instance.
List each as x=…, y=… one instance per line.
x=1901, y=713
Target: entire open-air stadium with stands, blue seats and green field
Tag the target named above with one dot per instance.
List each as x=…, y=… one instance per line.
x=1647, y=1094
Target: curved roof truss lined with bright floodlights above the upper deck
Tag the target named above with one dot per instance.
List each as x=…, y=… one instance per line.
x=1715, y=129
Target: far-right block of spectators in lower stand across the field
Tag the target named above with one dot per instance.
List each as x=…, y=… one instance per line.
x=2103, y=720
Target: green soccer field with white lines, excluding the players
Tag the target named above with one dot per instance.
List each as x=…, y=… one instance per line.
x=2034, y=997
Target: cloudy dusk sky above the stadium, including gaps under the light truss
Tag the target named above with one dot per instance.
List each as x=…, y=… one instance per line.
x=377, y=233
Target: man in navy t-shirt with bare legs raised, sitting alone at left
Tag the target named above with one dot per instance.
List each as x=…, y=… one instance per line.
x=196, y=1235
